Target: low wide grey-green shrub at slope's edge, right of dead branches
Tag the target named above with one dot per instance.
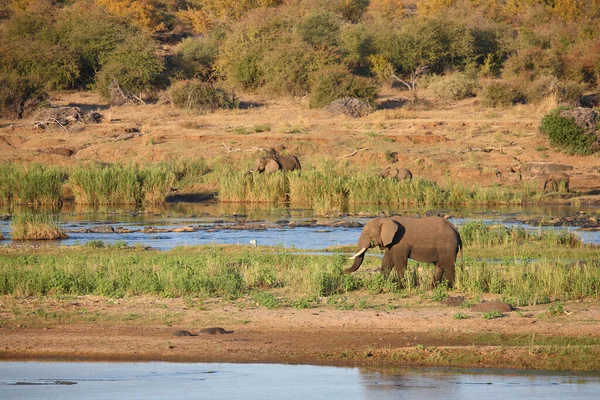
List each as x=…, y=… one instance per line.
x=202, y=96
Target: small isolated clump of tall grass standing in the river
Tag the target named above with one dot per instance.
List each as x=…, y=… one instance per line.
x=35, y=226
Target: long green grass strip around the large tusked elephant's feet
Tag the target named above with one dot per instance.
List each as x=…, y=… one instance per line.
x=518, y=274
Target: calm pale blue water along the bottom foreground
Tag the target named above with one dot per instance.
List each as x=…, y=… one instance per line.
x=67, y=380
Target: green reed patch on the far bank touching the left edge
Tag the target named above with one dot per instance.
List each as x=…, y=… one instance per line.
x=32, y=184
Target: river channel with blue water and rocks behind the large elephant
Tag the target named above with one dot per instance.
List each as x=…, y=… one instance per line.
x=204, y=217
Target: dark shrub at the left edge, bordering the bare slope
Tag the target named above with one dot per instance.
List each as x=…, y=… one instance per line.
x=20, y=96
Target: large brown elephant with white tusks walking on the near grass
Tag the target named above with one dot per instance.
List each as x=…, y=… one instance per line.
x=430, y=239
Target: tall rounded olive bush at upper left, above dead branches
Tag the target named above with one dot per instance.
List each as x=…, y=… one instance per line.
x=134, y=65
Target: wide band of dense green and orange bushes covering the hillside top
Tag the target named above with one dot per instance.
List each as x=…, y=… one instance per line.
x=282, y=48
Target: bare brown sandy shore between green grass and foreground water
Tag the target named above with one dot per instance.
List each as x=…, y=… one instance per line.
x=414, y=335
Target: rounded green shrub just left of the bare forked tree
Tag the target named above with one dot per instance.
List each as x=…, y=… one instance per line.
x=335, y=83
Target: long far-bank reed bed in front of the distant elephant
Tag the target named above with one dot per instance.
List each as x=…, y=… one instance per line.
x=330, y=187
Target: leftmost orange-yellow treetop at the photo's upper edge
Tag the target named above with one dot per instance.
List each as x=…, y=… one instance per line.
x=144, y=12
